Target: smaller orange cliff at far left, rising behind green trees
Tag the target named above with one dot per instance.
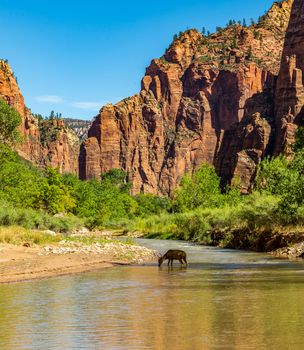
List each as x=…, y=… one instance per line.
x=47, y=143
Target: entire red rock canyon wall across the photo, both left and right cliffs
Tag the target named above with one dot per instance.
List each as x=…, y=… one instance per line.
x=226, y=99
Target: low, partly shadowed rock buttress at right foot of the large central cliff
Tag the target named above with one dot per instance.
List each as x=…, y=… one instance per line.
x=246, y=143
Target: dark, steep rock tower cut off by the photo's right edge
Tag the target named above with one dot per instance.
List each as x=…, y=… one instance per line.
x=290, y=91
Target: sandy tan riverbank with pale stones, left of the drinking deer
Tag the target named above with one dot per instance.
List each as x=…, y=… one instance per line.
x=19, y=263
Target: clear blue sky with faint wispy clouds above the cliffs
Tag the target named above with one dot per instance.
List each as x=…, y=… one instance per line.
x=75, y=56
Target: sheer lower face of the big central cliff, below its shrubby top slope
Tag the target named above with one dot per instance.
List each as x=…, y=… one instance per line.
x=175, y=124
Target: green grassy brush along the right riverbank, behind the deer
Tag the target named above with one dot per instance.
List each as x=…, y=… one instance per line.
x=253, y=213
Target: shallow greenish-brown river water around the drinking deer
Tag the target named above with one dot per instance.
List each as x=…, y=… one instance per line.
x=225, y=299
